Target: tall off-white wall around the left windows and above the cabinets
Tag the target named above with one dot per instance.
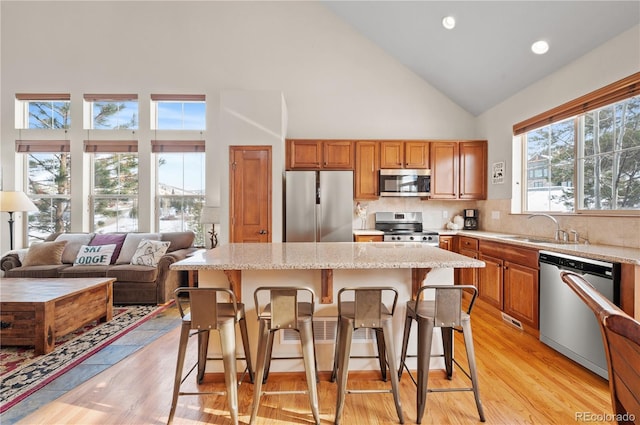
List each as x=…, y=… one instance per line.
x=335, y=83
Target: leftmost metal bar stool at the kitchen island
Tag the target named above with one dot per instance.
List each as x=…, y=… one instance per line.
x=205, y=314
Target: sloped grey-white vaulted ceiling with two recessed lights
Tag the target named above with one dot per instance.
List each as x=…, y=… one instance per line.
x=487, y=57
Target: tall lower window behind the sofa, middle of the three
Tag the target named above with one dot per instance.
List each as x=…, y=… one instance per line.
x=114, y=194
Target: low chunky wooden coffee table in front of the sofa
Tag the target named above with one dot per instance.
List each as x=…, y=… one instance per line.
x=36, y=311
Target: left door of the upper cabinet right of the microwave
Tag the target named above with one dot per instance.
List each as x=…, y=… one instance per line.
x=444, y=170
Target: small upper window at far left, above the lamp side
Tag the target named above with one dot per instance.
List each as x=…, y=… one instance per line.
x=43, y=111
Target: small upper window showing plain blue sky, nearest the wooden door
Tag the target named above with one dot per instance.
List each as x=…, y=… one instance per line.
x=178, y=112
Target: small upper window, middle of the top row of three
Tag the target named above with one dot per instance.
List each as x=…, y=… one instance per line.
x=111, y=112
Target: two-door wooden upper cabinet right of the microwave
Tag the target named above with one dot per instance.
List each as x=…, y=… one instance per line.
x=459, y=169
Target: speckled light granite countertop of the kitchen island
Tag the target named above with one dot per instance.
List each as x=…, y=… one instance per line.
x=324, y=255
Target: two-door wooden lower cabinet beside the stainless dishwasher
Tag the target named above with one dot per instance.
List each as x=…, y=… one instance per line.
x=509, y=281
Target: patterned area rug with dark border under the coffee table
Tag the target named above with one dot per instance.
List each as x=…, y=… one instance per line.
x=22, y=372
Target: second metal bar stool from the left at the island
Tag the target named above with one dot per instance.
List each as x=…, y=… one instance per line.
x=284, y=311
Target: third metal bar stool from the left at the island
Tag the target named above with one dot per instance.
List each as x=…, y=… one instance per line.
x=367, y=310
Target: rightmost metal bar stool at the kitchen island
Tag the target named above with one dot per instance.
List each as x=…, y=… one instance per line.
x=444, y=312
